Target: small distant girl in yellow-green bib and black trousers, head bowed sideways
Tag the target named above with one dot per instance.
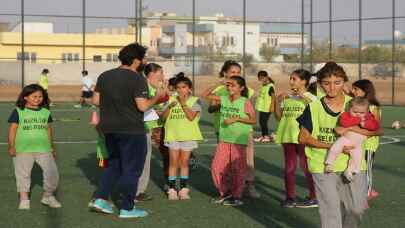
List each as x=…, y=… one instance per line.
x=264, y=104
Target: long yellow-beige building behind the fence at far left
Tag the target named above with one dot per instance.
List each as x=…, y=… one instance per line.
x=43, y=45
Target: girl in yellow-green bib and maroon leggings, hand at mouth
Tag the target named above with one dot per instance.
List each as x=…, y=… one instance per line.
x=288, y=107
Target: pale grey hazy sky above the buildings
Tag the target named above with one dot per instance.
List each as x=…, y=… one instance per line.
x=257, y=10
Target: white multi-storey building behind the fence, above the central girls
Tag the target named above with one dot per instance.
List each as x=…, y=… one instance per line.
x=210, y=38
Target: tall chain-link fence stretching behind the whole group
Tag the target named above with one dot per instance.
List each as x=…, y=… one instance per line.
x=197, y=36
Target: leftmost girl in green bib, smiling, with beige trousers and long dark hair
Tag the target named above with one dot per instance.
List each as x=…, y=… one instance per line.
x=30, y=141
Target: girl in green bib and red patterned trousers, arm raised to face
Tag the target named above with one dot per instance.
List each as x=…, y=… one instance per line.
x=229, y=163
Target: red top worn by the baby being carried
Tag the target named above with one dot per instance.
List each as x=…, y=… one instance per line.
x=370, y=122
